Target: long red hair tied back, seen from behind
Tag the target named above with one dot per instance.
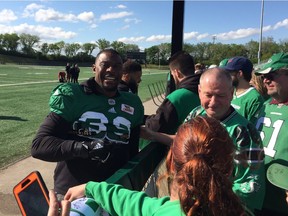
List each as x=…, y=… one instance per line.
x=200, y=162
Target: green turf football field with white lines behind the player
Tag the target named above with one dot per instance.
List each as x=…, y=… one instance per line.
x=24, y=96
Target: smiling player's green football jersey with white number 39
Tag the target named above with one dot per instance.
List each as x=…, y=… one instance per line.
x=97, y=116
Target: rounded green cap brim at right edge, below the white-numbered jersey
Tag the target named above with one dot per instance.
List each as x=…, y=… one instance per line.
x=277, y=174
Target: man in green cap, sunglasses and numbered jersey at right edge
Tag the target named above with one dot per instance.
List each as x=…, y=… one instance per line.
x=273, y=125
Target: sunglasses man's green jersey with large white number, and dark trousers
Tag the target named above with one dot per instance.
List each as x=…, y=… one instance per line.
x=273, y=127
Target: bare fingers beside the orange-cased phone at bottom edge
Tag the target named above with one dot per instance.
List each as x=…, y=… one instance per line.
x=56, y=208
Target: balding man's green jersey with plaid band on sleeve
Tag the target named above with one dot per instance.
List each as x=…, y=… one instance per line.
x=249, y=174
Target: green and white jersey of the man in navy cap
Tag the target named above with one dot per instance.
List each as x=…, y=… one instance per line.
x=248, y=104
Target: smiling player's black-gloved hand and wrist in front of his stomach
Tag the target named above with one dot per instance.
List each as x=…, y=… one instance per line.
x=95, y=150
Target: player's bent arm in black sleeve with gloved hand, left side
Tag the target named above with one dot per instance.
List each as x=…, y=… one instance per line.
x=50, y=143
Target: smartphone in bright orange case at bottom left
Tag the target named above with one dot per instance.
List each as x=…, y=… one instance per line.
x=32, y=195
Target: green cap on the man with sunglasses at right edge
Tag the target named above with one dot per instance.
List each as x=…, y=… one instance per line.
x=277, y=61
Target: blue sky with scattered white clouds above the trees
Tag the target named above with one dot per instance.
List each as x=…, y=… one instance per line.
x=144, y=23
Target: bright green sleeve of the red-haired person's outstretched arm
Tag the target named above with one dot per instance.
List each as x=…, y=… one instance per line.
x=117, y=200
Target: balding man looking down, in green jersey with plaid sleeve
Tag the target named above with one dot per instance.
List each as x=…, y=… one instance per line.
x=216, y=92
